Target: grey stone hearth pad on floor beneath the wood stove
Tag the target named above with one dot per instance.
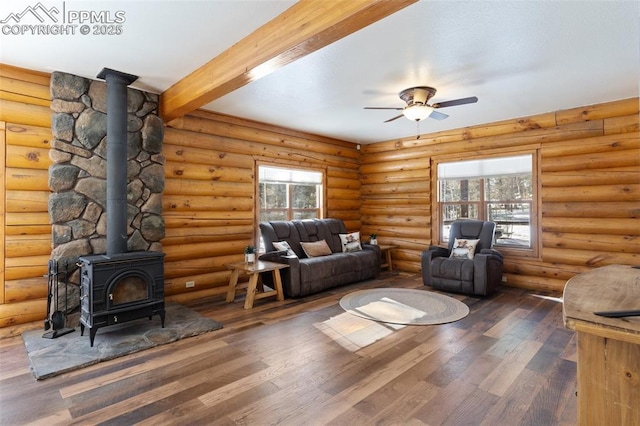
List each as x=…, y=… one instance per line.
x=52, y=357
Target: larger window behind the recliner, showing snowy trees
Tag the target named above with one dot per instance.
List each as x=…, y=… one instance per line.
x=495, y=189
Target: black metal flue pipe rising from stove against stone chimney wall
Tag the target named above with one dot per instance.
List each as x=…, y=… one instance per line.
x=116, y=201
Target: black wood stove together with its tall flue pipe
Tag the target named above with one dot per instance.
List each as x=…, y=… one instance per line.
x=119, y=286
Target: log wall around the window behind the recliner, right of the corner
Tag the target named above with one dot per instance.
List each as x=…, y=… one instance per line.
x=589, y=189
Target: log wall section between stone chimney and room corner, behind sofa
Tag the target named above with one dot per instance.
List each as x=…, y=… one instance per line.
x=209, y=197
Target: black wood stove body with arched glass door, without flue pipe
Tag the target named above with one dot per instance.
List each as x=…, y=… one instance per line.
x=120, y=288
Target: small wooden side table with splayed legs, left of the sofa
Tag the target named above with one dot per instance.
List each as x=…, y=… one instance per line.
x=253, y=270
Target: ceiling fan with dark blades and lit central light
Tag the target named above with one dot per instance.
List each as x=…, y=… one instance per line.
x=417, y=108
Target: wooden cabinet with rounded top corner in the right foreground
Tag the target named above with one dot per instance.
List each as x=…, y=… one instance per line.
x=608, y=348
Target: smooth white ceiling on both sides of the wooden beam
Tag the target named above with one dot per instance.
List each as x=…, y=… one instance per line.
x=518, y=57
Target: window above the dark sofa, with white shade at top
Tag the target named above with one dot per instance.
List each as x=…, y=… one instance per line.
x=288, y=194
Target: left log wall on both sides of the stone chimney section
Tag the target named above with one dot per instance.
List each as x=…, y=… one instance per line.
x=208, y=201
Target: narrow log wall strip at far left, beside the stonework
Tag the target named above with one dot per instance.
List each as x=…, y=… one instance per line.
x=25, y=118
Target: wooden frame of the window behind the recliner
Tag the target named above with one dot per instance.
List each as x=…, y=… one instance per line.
x=510, y=250
